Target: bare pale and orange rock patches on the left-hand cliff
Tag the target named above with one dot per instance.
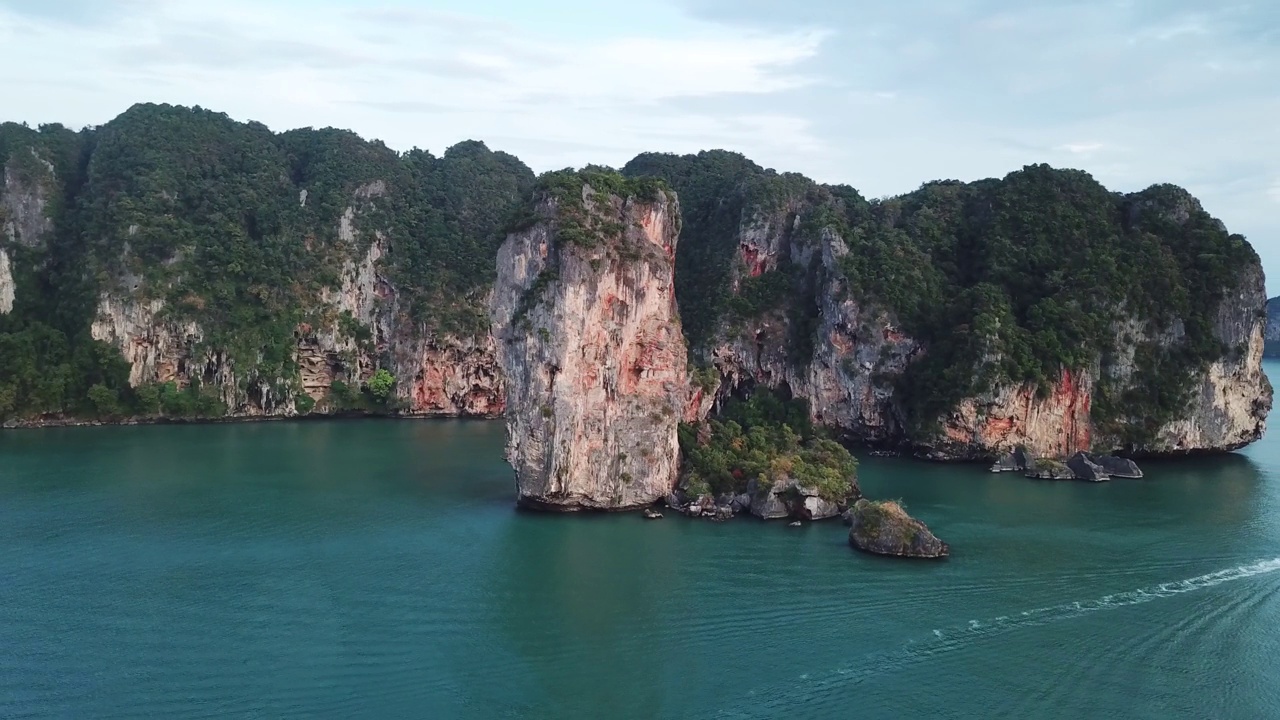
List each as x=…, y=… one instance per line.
x=351, y=331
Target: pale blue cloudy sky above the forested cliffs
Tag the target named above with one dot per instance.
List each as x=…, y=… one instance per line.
x=881, y=95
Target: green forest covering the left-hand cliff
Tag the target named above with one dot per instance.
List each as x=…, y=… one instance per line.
x=240, y=230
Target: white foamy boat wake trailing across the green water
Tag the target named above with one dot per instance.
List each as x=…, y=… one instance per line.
x=817, y=687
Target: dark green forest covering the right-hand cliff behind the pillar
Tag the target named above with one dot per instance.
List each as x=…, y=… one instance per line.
x=1004, y=281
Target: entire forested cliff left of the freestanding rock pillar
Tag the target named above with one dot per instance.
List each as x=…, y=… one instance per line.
x=205, y=268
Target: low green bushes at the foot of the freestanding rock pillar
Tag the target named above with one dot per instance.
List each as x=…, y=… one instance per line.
x=769, y=440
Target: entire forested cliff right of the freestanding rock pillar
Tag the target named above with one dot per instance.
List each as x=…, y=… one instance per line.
x=1168, y=362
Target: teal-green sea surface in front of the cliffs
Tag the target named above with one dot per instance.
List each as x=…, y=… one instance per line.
x=378, y=569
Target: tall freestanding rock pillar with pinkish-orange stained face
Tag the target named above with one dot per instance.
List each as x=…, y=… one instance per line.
x=591, y=344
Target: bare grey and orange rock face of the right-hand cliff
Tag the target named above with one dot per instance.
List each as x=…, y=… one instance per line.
x=858, y=359
